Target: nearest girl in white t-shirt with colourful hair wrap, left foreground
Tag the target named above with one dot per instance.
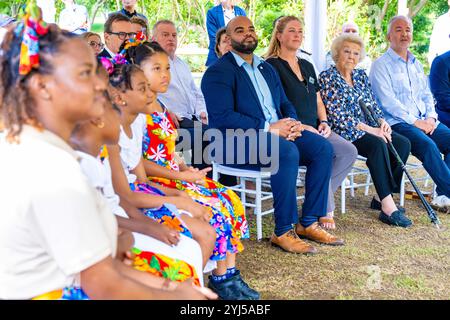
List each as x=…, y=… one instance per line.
x=58, y=232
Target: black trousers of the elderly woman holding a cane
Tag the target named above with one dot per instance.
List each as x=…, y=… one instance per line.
x=384, y=168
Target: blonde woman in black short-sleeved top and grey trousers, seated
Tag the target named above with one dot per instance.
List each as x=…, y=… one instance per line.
x=300, y=85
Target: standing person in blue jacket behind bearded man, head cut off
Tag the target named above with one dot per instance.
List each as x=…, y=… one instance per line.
x=218, y=17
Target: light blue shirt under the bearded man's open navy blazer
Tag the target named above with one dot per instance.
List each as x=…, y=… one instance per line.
x=261, y=87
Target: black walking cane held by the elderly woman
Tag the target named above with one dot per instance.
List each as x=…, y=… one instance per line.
x=371, y=117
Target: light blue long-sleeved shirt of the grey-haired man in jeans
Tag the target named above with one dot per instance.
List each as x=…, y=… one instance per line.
x=401, y=88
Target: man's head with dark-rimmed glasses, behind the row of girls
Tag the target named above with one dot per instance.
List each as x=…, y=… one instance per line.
x=118, y=28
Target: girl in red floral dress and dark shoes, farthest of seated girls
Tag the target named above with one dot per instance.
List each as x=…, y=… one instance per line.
x=163, y=167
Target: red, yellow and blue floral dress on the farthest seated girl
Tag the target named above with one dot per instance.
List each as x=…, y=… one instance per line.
x=227, y=211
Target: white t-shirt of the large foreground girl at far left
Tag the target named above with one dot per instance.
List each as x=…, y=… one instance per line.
x=53, y=223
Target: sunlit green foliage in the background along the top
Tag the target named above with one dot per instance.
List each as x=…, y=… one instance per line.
x=190, y=16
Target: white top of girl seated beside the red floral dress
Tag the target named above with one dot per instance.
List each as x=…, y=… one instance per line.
x=131, y=148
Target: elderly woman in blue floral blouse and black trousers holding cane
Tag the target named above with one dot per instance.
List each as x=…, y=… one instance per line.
x=341, y=88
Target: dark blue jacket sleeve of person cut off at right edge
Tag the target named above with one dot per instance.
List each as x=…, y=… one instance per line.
x=440, y=86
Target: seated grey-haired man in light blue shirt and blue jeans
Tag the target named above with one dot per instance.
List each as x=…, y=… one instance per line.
x=403, y=93
